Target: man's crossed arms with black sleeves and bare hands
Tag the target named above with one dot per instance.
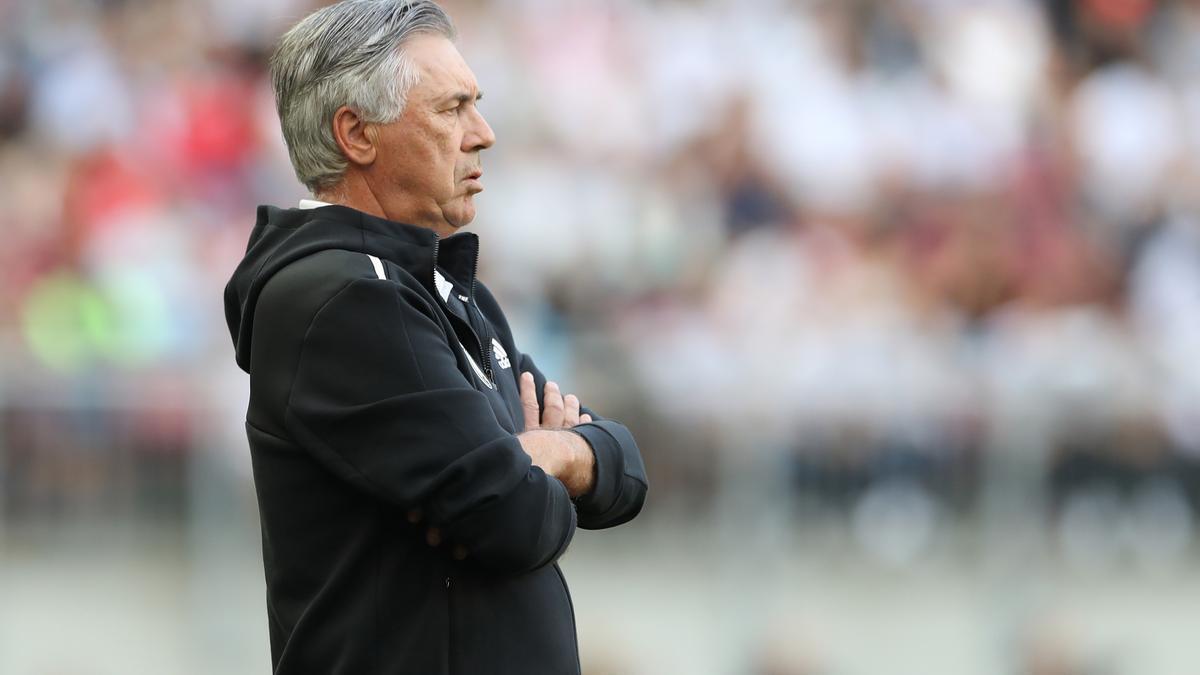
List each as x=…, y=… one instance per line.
x=386, y=408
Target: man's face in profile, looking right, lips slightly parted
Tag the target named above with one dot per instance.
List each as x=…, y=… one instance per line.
x=429, y=166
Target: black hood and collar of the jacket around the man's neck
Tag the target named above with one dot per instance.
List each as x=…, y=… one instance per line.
x=285, y=236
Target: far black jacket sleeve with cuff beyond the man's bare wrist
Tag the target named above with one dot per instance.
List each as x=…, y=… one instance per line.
x=621, y=483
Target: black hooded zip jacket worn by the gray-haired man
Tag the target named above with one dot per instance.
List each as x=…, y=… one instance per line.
x=385, y=385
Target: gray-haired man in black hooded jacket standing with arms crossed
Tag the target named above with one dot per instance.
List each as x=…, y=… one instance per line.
x=417, y=476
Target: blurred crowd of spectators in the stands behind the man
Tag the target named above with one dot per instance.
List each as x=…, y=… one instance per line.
x=890, y=250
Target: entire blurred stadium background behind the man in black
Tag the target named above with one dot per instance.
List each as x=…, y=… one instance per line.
x=901, y=298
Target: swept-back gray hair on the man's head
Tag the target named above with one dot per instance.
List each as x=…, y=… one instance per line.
x=346, y=55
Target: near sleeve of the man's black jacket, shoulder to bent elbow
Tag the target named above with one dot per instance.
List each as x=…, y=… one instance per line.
x=380, y=401
